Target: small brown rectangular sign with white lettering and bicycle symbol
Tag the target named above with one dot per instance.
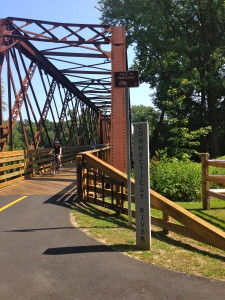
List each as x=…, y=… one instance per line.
x=126, y=79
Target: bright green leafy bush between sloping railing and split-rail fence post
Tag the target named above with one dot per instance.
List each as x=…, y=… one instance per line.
x=178, y=180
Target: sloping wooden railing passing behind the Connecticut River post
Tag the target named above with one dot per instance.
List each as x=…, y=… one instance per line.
x=112, y=192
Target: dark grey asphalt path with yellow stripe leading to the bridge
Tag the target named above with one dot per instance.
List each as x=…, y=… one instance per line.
x=43, y=256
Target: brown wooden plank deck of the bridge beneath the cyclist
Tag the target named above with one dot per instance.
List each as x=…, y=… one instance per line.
x=44, y=184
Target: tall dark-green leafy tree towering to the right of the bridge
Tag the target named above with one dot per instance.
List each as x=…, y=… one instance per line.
x=179, y=47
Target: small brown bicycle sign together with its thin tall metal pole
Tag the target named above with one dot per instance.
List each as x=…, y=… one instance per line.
x=126, y=80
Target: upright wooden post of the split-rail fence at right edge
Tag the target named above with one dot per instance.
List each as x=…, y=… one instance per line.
x=205, y=184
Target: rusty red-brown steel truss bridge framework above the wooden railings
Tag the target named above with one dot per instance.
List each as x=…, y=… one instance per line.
x=62, y=73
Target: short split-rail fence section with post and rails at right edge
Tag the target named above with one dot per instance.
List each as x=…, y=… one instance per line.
x=206, y=178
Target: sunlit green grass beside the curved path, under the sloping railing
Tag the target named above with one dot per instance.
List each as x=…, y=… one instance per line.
x=173, y=251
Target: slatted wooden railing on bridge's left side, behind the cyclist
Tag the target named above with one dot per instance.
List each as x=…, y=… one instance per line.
x=18, y=165
